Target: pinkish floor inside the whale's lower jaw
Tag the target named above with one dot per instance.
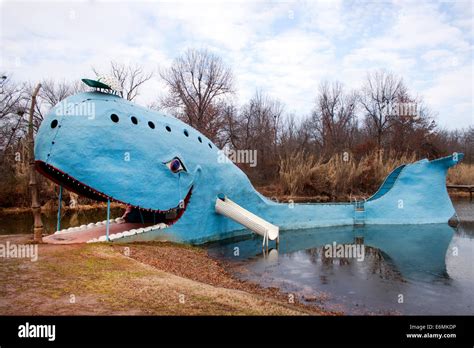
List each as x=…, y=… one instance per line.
x=83, y=236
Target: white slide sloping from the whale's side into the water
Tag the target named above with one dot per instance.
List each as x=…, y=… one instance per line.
x=235, y=212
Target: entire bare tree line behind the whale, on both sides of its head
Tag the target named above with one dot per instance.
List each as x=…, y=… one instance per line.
x=201, y=92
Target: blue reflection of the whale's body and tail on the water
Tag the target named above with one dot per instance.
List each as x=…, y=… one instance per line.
x=416, y=251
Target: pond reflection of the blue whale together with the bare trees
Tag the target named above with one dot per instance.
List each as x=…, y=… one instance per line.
x=412, y=251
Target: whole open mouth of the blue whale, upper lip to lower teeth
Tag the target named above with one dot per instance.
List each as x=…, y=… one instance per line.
x=139, y=220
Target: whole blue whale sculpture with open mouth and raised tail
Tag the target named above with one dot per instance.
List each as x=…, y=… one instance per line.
x=107, y=148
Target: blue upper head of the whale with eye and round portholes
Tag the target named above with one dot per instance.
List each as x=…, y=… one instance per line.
x=106, y=148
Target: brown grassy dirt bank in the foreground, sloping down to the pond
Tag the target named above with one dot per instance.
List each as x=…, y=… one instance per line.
x=144, y=278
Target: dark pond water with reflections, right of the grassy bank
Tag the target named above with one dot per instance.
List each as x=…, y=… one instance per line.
x=406, y=269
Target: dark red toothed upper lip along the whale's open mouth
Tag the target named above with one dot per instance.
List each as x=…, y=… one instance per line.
x=74, y=185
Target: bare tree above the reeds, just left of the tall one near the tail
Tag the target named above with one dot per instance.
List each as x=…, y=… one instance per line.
x=334, y=118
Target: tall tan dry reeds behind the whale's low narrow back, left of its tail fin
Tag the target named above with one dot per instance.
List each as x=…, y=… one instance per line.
x=340, y=177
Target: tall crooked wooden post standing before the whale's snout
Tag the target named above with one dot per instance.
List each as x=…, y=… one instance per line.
x=35, y=206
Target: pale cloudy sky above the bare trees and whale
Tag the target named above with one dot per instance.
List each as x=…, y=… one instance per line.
x=284, y=48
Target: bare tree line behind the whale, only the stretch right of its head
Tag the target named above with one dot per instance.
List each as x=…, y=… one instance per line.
x=382, y=115
